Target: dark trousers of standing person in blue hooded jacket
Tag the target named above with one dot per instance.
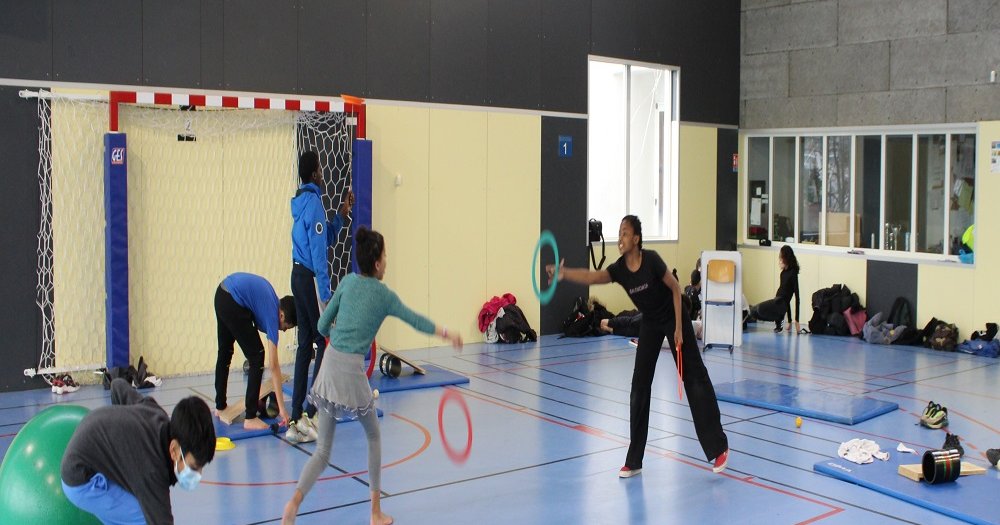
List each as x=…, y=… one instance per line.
x=307, y=313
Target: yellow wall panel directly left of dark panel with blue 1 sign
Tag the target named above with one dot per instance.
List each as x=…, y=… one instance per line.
x=513, y=208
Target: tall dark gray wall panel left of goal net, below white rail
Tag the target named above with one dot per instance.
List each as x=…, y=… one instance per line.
x=19, y=320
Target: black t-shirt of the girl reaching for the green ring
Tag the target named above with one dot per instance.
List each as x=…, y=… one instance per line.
x=645, y=286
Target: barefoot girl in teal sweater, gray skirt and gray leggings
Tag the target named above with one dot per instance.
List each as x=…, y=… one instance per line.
x=359, y=306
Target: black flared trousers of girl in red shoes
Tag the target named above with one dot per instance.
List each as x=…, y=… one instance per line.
x=697, y=387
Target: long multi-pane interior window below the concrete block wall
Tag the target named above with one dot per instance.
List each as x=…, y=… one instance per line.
x=896, y=191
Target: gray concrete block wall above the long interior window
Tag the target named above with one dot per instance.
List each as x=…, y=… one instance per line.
x=819, y=63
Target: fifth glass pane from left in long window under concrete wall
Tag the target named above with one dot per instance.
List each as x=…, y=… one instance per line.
x=867, y=190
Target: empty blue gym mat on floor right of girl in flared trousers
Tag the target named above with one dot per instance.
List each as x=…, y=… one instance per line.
x=827, y=406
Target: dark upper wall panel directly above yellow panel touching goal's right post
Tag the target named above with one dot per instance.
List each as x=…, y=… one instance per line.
x=398, y=51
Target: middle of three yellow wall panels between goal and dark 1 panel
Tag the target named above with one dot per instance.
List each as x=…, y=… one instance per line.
x=458, y=225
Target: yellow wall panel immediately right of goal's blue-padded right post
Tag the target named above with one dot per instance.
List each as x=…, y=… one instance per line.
x=399, y=138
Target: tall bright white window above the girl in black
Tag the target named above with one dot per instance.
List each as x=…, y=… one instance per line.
x=632, y=145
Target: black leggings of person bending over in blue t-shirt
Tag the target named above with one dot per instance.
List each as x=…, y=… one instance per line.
x=236, y=324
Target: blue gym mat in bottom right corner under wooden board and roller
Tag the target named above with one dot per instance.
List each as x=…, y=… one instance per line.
x=969, y=498
